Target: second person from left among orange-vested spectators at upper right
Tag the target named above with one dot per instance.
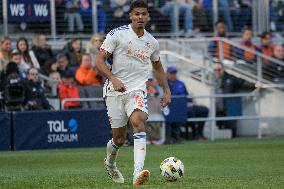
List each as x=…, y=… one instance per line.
x=244, y=55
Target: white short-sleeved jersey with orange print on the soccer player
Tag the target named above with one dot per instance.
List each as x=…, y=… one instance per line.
x=132, y=57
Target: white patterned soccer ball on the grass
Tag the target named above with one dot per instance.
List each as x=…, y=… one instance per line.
x=172, y=169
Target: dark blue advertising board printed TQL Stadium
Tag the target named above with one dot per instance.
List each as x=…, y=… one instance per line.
x=60, y=129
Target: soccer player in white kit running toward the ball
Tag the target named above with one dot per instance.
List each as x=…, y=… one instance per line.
x=133, y=51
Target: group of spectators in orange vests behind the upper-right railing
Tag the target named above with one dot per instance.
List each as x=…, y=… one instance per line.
x=240, y=56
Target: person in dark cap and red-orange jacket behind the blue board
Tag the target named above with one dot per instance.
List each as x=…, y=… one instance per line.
x=68, y=89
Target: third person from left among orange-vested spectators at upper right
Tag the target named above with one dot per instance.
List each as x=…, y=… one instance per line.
x=266, y=46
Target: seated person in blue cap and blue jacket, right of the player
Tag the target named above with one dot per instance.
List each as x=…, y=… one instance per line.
x=178, y=88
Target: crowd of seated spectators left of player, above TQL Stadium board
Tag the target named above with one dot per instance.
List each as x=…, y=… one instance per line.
x=67, y=70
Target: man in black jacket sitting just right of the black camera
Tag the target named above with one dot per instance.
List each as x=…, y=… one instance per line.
x=36, y=99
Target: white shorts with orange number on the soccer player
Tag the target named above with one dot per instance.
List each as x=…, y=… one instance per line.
x=121, y=107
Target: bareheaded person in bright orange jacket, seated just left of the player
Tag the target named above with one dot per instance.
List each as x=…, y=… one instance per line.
x=87, y=74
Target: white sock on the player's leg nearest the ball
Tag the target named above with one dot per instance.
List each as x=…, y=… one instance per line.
x=139, y=151
